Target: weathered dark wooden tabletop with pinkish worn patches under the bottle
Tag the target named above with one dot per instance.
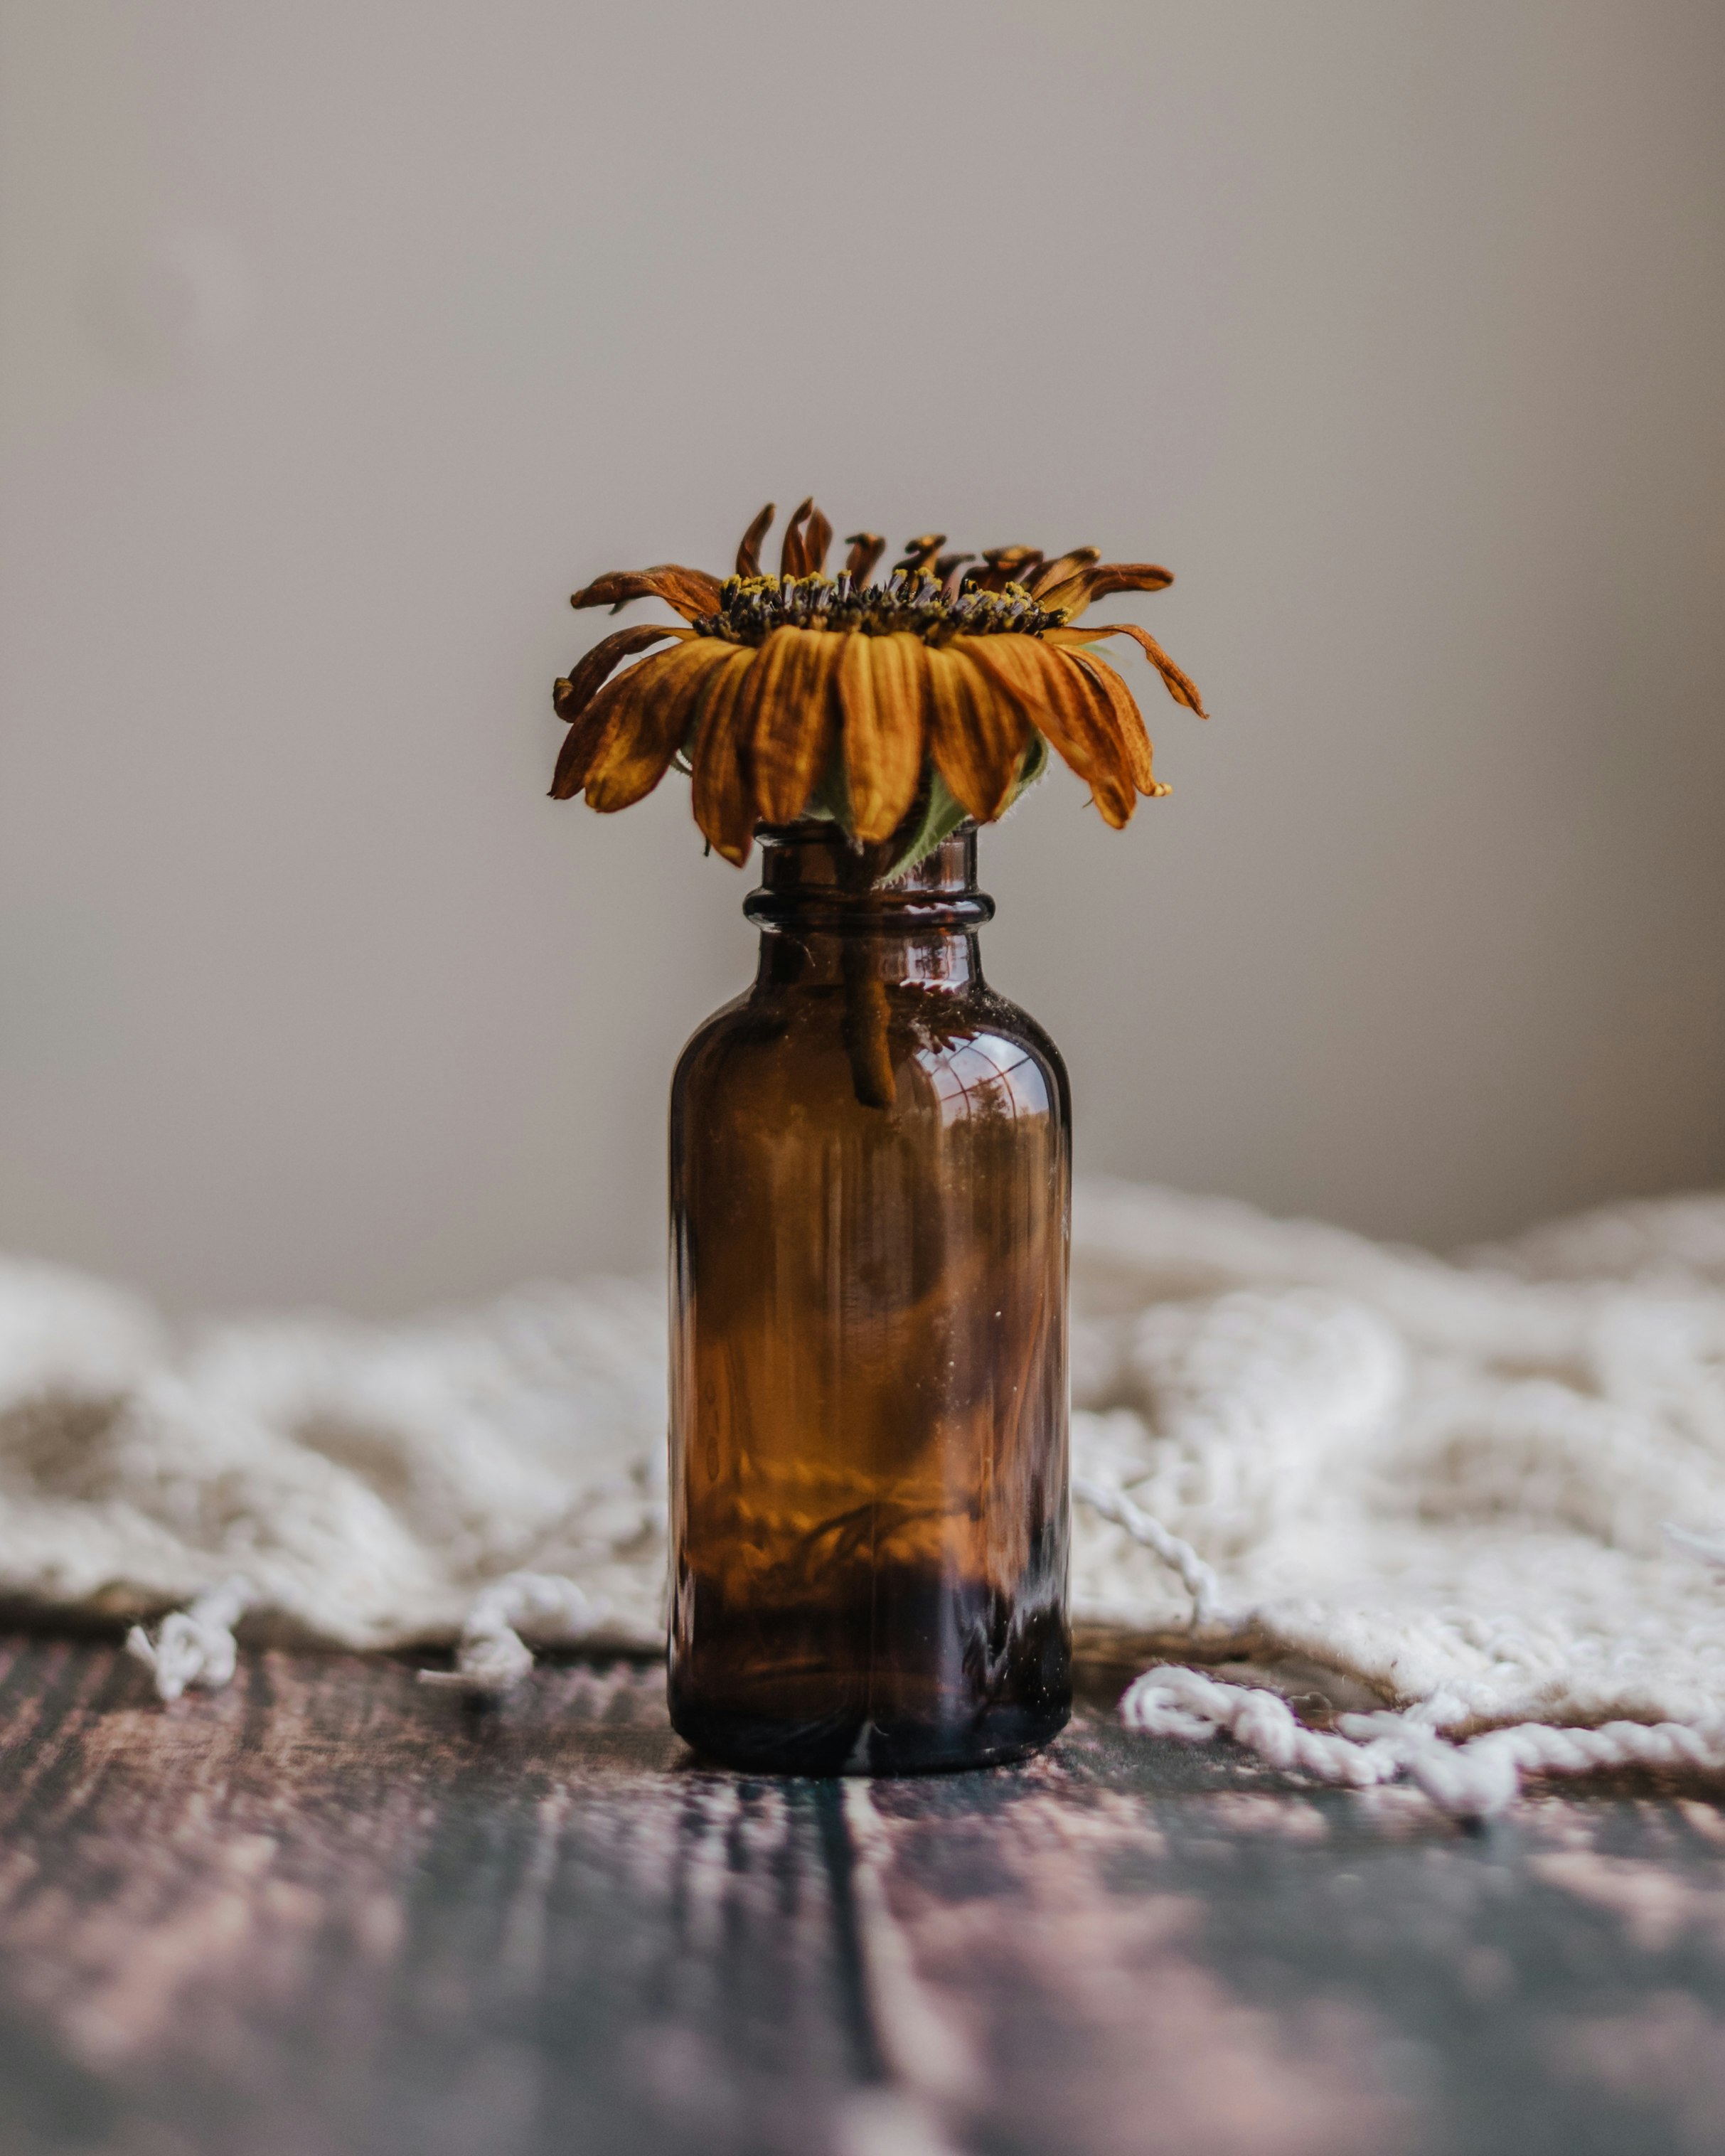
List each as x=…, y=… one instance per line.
x=333, y=1911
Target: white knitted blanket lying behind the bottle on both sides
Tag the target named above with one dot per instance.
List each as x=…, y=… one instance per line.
x=1448, y=1484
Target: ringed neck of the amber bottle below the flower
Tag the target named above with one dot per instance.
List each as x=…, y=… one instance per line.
x=820, y=920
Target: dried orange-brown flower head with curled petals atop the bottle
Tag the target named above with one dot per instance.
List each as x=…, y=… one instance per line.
x=898, y=708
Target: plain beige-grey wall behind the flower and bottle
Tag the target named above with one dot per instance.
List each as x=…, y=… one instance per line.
x=344, y=337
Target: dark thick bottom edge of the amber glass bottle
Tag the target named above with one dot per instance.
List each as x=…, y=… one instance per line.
x=851, y=1743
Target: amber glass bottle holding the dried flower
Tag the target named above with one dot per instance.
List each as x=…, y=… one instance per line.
x=870, y=1187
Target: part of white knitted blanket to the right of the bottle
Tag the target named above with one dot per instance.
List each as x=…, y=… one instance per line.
x=1446, y=1482
